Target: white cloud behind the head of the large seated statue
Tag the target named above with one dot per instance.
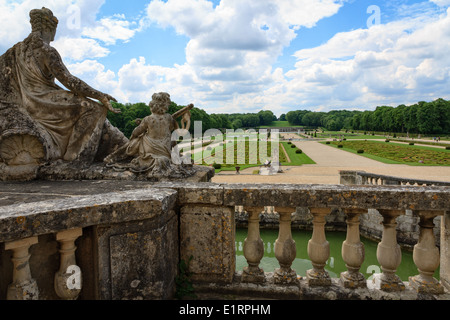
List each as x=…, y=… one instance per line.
x=78, y=32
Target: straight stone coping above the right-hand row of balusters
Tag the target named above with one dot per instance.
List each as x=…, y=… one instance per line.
x=312, y=195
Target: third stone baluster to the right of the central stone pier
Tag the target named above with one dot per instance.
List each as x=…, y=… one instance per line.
x=318, y=249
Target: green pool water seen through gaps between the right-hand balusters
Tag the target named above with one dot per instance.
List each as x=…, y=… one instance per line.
x=335, y=264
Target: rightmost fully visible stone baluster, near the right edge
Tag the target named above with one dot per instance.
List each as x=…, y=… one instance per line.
x=426, y=256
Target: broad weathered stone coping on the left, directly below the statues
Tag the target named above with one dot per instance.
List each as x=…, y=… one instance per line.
x=73, y=206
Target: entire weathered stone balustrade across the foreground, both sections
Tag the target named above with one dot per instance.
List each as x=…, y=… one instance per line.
x=129, y=242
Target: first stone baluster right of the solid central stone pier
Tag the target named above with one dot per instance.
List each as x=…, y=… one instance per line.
x=253, y=248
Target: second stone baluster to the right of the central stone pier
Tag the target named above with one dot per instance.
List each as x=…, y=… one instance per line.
x=285, y=249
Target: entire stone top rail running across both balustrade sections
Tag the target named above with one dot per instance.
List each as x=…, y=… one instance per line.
x=79, y=204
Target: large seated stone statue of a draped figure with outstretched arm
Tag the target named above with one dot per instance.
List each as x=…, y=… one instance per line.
x=40, y=122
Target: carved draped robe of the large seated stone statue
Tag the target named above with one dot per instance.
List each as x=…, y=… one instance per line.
x=74, y=123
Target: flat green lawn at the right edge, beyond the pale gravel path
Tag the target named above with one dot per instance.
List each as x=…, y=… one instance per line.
x=396, y=153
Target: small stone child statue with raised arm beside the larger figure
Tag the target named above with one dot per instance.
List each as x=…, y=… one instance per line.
x=150, y=147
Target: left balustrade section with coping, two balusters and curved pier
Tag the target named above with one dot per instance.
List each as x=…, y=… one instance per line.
x=87, y=240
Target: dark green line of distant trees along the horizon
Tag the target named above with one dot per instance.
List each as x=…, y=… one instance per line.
x=422, y=117
